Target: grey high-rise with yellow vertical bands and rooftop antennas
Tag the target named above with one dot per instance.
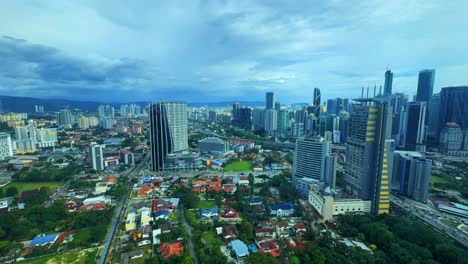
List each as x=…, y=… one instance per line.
x=369, y=157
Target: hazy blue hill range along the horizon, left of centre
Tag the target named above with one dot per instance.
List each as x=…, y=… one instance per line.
x=27, y=104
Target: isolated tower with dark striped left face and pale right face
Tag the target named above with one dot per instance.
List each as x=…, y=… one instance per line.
x=168, y=131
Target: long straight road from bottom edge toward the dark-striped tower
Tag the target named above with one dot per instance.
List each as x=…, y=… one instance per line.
x=118, y=213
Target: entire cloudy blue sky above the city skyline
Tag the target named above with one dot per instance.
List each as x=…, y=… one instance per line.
x=204, y=51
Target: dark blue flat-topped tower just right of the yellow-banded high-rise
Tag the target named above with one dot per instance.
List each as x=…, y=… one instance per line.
x=415, y=133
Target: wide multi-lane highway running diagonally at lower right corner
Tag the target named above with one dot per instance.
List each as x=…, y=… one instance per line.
x=432, y=217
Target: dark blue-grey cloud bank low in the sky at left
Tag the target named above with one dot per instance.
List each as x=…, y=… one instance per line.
x=21, y=59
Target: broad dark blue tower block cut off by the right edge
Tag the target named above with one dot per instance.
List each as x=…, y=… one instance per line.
x=454, y=106
